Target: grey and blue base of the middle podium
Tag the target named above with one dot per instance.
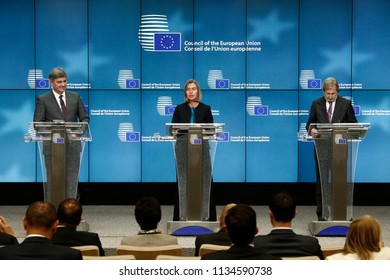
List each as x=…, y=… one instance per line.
x=191, y=228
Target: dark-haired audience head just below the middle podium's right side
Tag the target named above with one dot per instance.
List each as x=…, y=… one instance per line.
x=241, y=224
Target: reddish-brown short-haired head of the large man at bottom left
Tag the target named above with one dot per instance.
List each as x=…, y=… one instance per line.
x=41, y=218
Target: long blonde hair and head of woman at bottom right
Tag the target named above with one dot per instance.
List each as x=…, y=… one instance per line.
x=363, y=237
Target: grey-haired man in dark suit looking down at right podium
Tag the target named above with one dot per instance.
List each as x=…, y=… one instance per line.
x=330, y=108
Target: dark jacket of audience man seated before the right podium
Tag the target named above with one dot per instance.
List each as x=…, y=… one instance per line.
x=286, y=243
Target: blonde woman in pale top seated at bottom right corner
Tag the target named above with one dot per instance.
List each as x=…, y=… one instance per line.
x=363, y=241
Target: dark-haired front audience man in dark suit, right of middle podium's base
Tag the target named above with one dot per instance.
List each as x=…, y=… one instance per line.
x=241, y=228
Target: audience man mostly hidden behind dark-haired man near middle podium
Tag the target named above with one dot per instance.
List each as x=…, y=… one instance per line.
x=218, y=238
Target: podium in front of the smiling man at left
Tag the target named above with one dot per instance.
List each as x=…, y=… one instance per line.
x=61, y=145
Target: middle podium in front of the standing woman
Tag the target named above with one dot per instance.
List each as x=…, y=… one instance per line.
x=194, y=146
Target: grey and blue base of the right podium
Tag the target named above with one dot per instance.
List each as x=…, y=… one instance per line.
x=329, y=228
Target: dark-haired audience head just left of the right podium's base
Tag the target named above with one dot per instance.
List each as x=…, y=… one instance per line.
x=282, y=208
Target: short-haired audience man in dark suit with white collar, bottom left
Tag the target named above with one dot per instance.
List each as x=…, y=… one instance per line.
x=40, y=223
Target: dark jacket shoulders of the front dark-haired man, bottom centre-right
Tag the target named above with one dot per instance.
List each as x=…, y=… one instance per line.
x=239, y=253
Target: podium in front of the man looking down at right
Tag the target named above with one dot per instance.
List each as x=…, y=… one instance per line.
x=336, y=147
